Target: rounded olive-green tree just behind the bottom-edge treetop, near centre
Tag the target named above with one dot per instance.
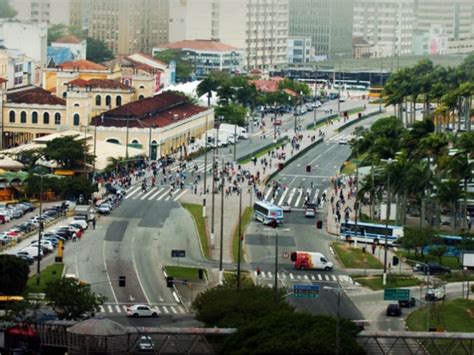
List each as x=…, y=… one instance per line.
x=224, y=306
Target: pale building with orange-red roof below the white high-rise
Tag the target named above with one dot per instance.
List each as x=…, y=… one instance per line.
x=207, y=56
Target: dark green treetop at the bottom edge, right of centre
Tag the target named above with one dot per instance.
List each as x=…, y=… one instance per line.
x=285, y=332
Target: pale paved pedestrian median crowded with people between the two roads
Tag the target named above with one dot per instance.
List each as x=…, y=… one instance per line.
x=258, y=168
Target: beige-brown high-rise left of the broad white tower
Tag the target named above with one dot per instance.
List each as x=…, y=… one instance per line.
x=128, y=26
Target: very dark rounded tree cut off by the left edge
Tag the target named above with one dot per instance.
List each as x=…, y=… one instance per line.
x=13, y=275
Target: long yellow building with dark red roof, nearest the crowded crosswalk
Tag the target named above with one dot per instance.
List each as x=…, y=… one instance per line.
x=161, y=125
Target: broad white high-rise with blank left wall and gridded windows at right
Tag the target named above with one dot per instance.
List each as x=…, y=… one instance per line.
x=259, y=27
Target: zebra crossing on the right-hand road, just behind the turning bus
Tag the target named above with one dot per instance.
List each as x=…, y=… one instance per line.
x=295, y=196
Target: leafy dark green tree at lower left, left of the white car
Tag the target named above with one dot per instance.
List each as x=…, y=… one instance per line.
x=72, y=299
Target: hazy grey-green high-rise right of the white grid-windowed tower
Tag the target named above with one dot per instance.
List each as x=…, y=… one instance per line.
x=327, y=22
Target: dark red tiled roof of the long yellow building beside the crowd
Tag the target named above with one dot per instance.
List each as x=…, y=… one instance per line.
x=160, y=110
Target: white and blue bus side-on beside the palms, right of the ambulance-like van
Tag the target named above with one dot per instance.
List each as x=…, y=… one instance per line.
x=370, y=232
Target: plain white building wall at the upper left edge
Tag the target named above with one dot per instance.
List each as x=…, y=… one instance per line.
x=28, y=38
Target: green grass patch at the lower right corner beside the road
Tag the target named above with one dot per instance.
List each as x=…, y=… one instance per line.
x=452, y=316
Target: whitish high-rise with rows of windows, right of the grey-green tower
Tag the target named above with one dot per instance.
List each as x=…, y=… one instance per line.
x=387, y=25
